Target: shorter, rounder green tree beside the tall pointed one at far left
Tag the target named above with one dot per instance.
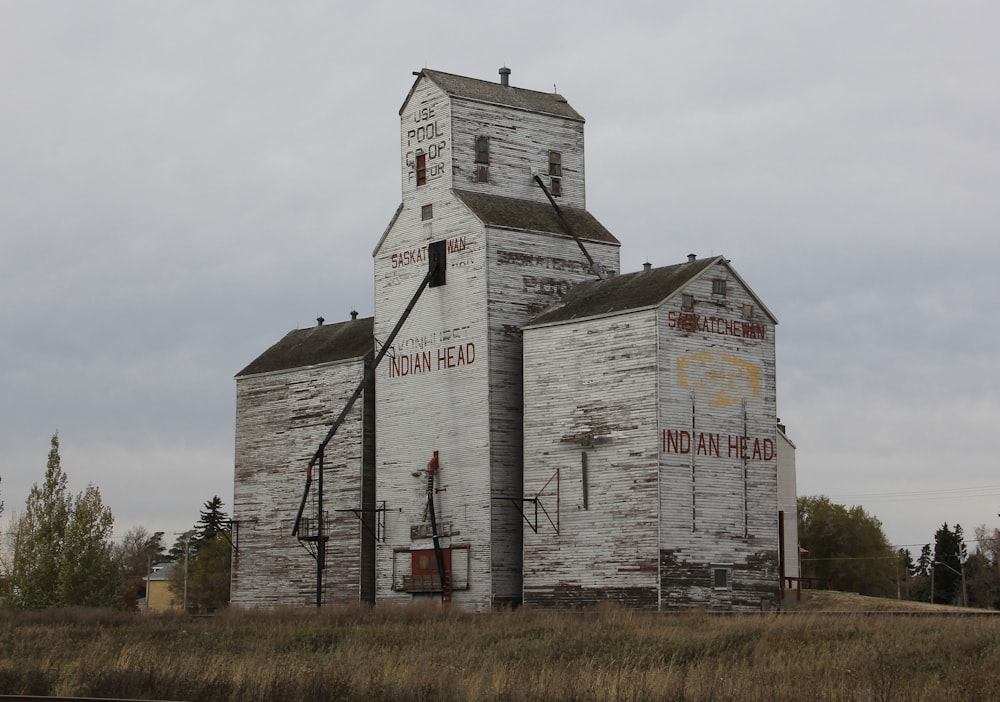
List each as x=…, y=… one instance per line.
x=89, y=575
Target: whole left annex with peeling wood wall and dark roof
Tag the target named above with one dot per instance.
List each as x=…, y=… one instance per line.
x=286, y=400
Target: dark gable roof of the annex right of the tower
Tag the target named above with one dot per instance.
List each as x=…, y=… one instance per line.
x=632, y=291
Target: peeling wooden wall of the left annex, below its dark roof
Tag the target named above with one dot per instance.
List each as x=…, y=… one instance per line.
x=281, y=419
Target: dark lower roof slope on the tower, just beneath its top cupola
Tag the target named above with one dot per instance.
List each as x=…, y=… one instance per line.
x=513, y=213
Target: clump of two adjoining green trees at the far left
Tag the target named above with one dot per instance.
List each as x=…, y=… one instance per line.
x=63, y=554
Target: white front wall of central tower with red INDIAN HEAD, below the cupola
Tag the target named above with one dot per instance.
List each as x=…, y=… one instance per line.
x=431, y=400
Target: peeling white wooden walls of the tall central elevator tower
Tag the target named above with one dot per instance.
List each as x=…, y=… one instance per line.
x=454, y=385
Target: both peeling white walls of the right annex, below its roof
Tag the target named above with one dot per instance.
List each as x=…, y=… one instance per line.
x=677, y=422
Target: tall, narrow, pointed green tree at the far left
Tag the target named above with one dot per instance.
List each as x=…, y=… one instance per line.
x=39, y=535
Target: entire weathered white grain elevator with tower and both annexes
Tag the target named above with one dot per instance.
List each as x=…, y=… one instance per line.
x=517, y=435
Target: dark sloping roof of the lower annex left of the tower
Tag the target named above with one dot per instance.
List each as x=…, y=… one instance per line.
x=320, y=344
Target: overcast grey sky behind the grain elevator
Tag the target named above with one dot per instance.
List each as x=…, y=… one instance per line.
x=181, y=183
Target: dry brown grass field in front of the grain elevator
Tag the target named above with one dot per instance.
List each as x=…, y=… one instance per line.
x=833, y=646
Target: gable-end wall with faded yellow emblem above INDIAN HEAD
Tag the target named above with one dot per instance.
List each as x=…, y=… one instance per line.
x=719, y=504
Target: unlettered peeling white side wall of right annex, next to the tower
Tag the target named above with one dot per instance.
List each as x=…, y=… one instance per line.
x=590, y=396
